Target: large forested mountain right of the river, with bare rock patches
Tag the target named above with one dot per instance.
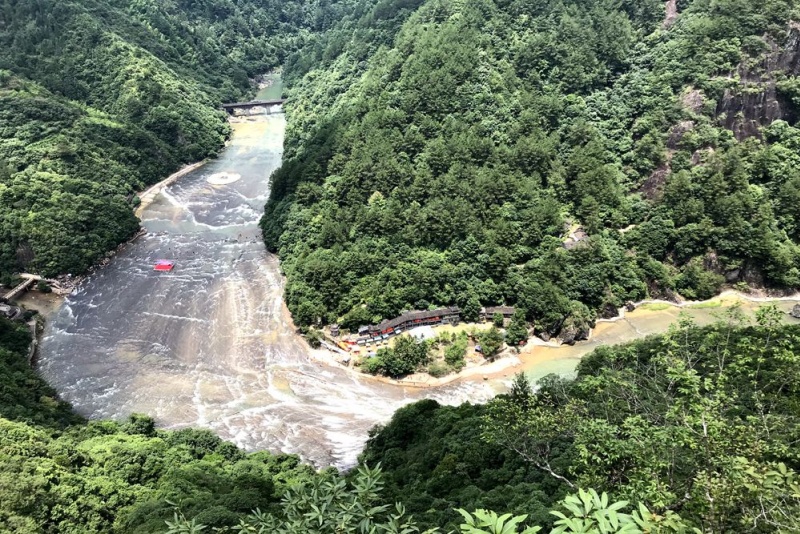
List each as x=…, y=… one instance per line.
x=448, y=162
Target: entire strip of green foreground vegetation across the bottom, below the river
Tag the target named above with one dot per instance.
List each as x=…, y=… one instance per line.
x=697, y=428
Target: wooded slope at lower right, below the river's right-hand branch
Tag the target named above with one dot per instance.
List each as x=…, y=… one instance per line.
x=700, y=421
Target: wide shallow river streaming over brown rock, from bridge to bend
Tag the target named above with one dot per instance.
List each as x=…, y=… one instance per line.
x=211, y=344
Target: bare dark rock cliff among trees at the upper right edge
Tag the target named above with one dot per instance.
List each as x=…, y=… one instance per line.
x=757, y=100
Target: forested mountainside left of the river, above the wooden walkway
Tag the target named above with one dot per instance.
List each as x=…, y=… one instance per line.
x=100, y=98
